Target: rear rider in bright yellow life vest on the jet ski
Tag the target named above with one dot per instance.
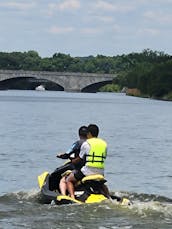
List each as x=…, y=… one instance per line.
x=93, y=152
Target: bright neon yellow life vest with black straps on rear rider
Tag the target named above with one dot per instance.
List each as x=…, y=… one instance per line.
x=97, y=154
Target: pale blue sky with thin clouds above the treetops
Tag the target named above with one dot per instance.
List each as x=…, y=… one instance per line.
x=85, y=27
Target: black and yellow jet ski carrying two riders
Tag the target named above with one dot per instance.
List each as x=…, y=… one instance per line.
x=88, y=190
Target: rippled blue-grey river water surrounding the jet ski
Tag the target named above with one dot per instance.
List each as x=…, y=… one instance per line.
x=35, y=126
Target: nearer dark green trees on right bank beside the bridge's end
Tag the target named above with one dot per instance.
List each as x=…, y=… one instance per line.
x=152, y=76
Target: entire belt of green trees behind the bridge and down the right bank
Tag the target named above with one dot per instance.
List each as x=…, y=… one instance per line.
x=148, y=74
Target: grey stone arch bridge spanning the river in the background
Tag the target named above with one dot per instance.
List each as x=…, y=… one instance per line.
x=68, y=81
